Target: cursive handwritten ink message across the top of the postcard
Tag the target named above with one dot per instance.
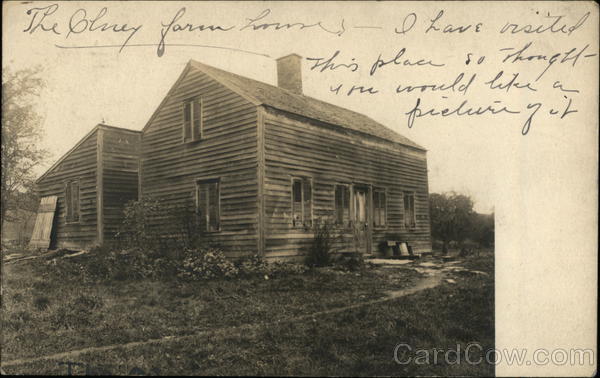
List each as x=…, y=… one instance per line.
x=521, y=68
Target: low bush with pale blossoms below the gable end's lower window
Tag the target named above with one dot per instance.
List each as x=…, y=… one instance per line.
x=204, y=264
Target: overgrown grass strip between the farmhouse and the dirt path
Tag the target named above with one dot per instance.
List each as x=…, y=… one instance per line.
x=45, y=316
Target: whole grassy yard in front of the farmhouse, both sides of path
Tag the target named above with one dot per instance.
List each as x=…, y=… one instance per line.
x=43, y=314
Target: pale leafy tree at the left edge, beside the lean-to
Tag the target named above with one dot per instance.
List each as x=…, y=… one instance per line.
x=21, y=132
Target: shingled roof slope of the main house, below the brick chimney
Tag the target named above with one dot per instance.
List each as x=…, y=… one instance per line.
x=282, y=99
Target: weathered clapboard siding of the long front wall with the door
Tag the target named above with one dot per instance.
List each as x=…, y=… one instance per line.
x=296, y=146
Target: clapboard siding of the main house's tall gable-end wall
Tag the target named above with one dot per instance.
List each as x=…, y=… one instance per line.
x=228, y=151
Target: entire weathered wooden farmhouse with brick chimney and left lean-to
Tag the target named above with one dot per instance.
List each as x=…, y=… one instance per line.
x=261, y=164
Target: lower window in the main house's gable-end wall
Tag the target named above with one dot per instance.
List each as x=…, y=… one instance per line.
x=208, y=205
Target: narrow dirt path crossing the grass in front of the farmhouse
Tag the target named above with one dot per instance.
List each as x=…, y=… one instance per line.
x=426, y=282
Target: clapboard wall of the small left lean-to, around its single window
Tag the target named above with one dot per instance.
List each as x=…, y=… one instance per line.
x=79, y=163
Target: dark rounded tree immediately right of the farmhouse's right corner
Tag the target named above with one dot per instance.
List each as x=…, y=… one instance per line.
x=451, y=217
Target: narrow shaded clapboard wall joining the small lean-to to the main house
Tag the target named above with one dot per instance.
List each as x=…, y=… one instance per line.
x=120, y=154
